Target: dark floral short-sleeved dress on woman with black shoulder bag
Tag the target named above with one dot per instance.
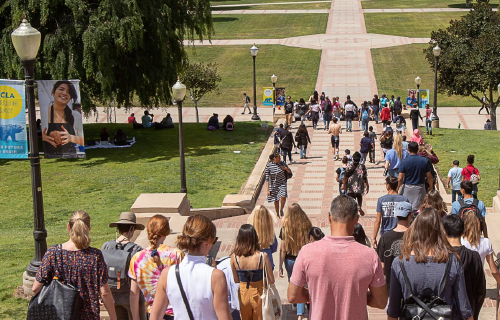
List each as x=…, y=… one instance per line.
x=85, y=269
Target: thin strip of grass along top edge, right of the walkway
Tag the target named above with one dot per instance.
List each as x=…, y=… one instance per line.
x=392, y=4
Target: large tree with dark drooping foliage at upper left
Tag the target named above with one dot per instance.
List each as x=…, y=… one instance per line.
x=120, y=49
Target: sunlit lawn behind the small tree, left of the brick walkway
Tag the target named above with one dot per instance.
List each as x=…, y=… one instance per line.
x=296, y=68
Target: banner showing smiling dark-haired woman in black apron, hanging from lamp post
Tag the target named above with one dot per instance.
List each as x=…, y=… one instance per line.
x=61, y=115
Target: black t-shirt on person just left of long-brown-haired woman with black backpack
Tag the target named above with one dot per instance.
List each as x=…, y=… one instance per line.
x=389, y=247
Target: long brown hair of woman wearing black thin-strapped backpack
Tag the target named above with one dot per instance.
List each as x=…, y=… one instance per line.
x=426, y=237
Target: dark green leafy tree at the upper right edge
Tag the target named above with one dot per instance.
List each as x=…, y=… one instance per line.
x=469, y=64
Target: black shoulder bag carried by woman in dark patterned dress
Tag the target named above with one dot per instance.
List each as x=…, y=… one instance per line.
x=56, y=300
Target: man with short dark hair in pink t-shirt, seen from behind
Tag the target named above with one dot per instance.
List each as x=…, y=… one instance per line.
x=343, y=276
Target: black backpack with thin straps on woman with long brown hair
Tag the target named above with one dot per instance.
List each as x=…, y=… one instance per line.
x=427, y=309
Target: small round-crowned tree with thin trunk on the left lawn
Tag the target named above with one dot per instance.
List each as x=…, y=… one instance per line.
x=200, y=79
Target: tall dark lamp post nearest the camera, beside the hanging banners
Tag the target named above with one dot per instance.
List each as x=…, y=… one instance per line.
x=26, y=41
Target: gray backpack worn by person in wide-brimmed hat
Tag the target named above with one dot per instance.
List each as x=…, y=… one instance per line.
x=118, y=260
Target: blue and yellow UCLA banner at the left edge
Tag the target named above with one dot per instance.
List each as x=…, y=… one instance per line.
x=13, y=137
